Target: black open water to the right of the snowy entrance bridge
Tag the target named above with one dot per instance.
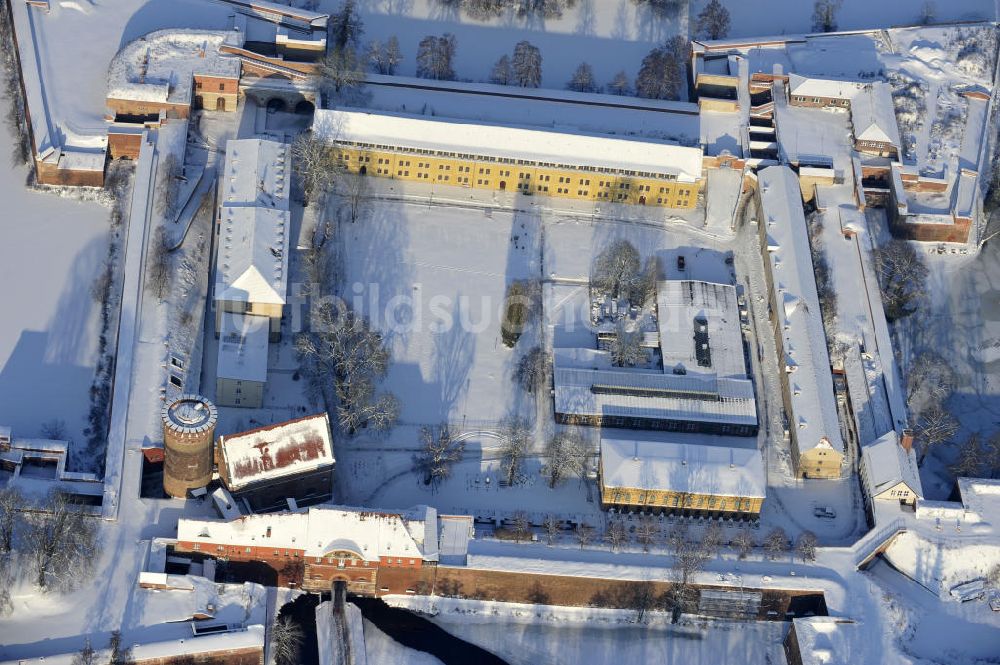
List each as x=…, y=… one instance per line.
x=413, y=631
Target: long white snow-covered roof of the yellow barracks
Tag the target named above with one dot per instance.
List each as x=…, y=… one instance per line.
x=562, y=148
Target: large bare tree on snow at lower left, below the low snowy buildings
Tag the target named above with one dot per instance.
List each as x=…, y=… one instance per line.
x=60, y=543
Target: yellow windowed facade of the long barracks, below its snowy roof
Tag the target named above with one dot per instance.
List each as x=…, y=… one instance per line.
x=516, y=175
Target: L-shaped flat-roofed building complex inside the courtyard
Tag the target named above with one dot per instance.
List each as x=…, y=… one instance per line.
x=701, y=387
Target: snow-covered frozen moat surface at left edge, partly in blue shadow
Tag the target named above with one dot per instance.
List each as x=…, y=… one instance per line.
x=52, y=251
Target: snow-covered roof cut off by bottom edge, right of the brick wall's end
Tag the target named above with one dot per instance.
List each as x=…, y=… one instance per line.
x=834, y=641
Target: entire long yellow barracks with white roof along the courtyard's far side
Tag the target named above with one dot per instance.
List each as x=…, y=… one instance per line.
x=503, y=158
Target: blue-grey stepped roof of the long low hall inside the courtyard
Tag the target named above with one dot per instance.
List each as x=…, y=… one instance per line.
x=691, y=398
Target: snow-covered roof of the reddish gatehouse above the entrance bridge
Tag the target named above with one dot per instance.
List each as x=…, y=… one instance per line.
x=371, y=534
